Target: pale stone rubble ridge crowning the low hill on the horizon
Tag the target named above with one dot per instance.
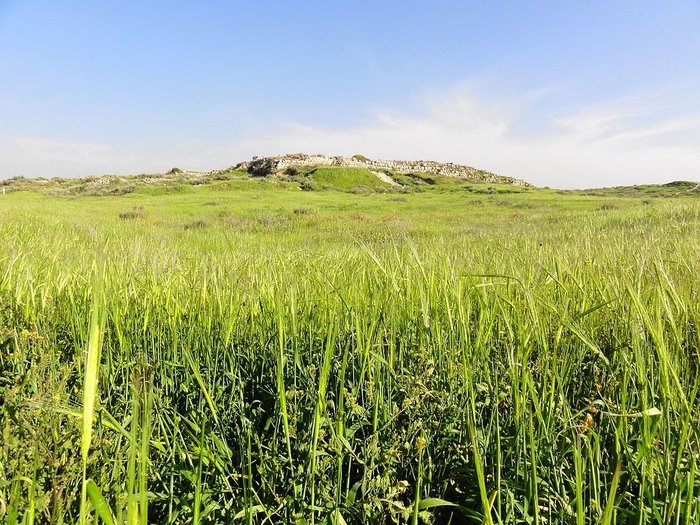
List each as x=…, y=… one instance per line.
x=280, y=163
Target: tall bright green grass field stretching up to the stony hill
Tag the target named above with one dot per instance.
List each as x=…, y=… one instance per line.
x=241, y=351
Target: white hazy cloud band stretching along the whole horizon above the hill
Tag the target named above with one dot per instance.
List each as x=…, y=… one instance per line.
x=622, y=141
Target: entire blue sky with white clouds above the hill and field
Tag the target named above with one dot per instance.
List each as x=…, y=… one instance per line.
x=567, y=94
